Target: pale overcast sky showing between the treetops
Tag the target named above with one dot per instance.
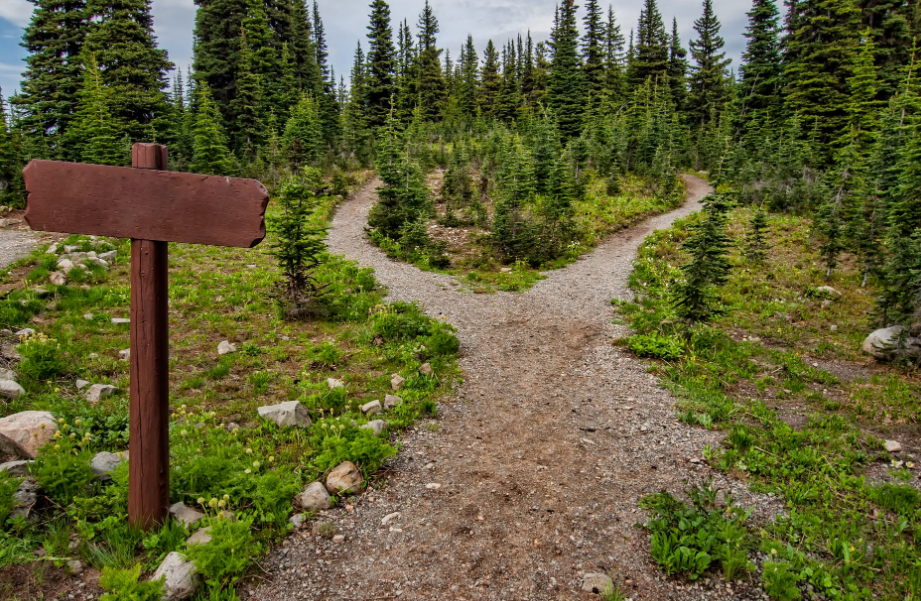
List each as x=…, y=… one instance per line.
x=346, y=22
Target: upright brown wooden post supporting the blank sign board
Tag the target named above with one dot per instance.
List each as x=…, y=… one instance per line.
x=148, y=465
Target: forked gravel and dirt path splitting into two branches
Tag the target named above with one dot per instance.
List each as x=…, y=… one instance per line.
x=541, y=459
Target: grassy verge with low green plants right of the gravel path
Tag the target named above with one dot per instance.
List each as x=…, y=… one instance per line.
x=805, y=415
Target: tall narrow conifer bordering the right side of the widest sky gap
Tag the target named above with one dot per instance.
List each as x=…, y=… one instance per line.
x=566, y=89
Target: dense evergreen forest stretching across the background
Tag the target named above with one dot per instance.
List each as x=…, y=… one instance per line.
x=820, y=118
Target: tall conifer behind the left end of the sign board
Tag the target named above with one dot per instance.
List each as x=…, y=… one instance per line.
x=54, y=39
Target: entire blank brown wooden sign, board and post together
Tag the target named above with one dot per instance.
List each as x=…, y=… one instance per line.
x=153, y=207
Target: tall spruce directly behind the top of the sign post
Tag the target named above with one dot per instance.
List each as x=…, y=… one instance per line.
x=132, y=66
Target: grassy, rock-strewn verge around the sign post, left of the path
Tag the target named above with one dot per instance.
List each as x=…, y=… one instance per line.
x=251, y=472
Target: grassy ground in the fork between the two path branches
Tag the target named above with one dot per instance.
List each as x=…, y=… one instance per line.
x=477, y=266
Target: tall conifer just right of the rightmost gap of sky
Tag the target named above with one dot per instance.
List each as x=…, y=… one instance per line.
x=761, y=72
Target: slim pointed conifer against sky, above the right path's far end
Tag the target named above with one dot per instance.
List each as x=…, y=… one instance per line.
x=708, y=89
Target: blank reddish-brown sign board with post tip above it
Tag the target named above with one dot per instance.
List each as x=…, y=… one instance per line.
x=149, y=204
